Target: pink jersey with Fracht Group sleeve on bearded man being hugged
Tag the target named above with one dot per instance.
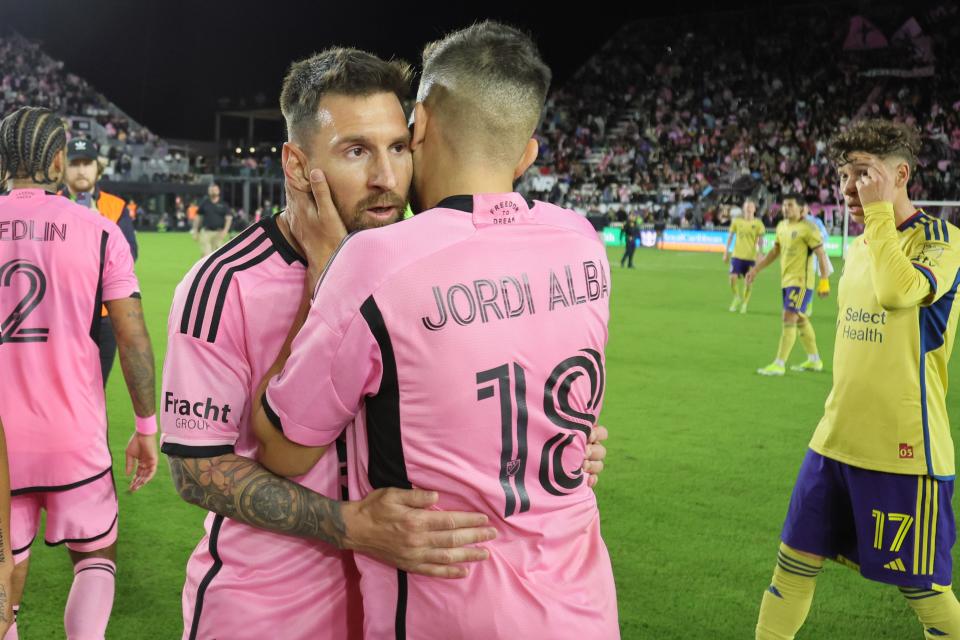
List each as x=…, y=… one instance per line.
x=229, y=318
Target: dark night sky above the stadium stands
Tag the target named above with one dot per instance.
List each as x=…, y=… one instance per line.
x=166, y=62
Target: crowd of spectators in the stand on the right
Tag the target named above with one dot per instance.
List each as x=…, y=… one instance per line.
x=675, y=117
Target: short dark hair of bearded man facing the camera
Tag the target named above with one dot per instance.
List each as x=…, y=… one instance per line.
x=338, y=70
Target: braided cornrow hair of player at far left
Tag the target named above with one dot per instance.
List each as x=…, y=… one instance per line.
x=29, y=139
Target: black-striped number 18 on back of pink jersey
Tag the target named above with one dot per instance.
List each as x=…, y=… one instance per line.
x=509, y=382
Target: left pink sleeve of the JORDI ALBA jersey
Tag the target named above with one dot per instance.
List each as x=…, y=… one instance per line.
x=335, y=360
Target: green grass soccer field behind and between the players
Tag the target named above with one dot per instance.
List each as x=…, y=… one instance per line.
x=703, y=455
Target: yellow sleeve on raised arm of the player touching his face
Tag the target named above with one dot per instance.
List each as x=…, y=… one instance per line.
x=903, y=280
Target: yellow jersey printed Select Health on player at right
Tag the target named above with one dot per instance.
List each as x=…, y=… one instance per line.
x=898, y=315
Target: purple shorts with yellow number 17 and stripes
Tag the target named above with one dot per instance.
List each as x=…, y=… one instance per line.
x=897, y=529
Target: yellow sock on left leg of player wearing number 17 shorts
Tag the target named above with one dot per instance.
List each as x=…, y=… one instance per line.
x=786, y=602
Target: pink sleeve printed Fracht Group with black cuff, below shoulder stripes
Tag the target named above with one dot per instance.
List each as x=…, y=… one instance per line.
x=205, y=386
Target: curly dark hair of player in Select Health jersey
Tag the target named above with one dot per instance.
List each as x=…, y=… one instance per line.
x=877, y=137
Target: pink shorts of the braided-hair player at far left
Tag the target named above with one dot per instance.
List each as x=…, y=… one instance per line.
x=84, y=516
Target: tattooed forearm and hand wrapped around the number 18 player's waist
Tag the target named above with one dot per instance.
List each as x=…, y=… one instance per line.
x=392, y=525
